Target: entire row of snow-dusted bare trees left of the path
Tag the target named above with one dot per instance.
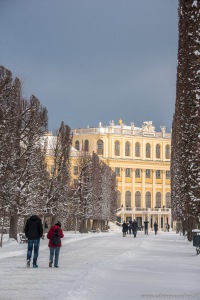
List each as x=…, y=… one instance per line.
x=26, y=187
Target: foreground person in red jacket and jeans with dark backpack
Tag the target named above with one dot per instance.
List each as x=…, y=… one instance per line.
x=55, y=235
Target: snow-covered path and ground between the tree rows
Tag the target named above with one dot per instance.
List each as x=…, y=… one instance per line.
x=104, y=266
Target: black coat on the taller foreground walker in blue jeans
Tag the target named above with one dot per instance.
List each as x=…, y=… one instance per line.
x=33, y=228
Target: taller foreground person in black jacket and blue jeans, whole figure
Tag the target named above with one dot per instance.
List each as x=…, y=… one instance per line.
x=33, y=231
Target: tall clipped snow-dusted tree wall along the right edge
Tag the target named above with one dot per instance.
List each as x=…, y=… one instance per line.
x=185, y=176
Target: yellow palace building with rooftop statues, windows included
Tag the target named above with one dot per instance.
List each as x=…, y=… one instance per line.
x=140, y=157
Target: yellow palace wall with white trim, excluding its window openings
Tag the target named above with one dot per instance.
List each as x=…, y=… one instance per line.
x=122, y=134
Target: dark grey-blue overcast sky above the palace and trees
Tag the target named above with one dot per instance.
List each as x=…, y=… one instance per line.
x=91, y=61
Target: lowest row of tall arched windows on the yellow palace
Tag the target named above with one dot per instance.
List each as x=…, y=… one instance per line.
x=148, y=200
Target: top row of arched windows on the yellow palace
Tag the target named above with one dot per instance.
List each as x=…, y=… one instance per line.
x=100, y=149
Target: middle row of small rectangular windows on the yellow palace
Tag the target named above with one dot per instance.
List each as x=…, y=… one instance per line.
x=138, y=173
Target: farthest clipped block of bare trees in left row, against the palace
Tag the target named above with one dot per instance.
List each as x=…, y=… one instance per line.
x=94, y=199
